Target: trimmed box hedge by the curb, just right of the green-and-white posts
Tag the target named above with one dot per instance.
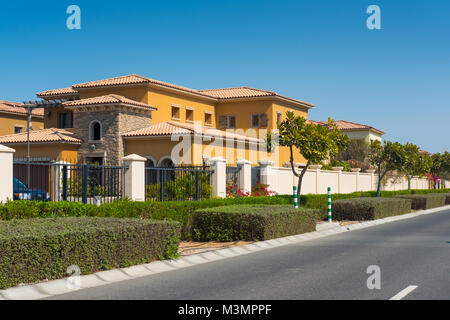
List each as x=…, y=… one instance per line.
x=369, y=208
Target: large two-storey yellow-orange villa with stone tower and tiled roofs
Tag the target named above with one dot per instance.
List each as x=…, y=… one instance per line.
x=229, y=123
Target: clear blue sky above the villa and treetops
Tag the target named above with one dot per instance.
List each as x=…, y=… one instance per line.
x=396, y=79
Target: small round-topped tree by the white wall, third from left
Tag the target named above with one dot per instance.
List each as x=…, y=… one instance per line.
x=416, y=163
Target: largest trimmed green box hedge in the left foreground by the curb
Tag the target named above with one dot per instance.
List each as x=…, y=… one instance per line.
x=32, y=250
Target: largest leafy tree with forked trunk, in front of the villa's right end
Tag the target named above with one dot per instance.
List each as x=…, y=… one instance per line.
x=315, y=143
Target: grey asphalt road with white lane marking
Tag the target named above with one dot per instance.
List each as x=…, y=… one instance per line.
x=411, y=252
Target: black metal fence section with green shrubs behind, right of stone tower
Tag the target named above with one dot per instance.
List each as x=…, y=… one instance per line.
x=178, y=183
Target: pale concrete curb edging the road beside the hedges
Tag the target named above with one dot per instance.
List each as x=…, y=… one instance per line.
x=61, y=286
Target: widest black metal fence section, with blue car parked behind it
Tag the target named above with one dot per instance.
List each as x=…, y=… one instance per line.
x=56, y=181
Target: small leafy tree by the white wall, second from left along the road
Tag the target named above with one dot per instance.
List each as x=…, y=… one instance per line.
x=386, y=158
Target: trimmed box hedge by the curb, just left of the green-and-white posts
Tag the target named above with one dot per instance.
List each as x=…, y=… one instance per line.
x=252, y=222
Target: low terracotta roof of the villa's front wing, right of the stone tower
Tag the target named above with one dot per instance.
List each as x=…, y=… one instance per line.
x=171, y=127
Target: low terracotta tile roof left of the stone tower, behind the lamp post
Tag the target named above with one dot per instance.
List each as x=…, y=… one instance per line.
x=44, y=135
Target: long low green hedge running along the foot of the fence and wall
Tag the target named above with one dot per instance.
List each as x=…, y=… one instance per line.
x=181, y=211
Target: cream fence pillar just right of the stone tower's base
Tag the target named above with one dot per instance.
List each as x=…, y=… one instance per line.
x=135, y=177
